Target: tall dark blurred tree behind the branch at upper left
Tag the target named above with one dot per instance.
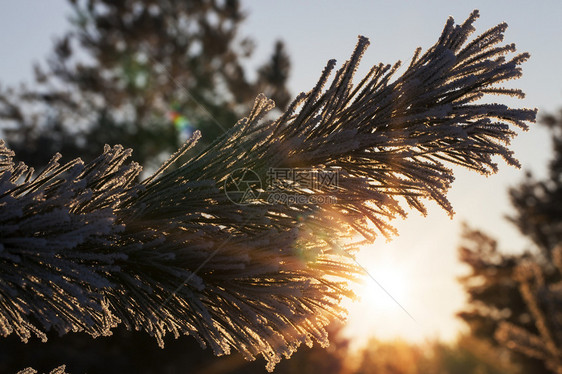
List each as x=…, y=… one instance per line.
x=142, y=73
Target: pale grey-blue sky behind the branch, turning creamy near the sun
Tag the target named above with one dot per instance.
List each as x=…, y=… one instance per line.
x=425, y=253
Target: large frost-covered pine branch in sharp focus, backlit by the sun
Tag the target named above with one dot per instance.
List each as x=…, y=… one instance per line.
x=84, y=247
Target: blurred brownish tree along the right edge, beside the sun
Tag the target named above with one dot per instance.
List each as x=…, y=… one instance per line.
x=521, y=293
